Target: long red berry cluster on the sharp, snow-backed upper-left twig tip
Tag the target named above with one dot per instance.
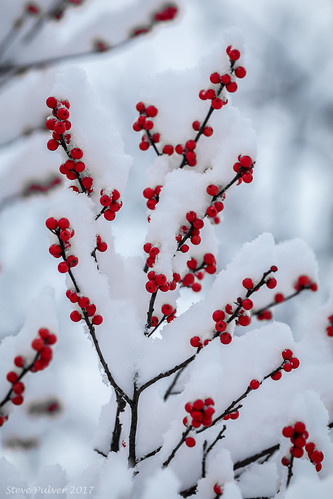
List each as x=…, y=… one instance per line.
x=59, y=124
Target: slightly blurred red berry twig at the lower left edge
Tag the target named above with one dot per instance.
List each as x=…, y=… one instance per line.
x=43, y=356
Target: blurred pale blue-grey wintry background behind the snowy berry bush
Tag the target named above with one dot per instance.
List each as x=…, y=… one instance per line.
x=287, y=94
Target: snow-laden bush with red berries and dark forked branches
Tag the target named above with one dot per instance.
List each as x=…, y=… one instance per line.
x=209, y=396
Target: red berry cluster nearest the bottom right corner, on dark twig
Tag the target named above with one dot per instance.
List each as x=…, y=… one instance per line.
x=298, y=436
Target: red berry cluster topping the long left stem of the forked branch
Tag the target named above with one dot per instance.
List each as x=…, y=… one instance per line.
x=61, y=228
